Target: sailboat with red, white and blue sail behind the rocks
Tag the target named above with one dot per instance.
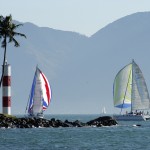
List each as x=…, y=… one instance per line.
x=40, y=95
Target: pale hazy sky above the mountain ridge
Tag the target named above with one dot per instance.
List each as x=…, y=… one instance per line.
x=83, y=16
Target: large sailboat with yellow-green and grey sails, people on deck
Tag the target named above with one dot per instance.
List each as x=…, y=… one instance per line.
x=130, y=91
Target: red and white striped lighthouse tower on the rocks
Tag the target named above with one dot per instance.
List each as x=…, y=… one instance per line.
x=6, y=93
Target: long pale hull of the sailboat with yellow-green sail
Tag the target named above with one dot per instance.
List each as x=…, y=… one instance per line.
x=131, y=117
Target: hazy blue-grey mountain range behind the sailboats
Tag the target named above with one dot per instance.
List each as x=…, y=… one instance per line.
x=81, y=69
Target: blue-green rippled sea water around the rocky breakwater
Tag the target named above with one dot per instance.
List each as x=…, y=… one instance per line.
x=127, y=135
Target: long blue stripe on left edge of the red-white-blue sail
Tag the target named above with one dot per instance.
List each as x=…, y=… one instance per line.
x=32, y=94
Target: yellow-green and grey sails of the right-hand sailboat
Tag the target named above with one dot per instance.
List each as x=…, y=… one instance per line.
x=129, y=89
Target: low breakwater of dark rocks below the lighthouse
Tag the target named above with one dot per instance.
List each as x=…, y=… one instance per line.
x=14, y=122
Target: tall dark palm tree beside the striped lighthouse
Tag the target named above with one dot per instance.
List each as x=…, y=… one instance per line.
x=7, y=33
